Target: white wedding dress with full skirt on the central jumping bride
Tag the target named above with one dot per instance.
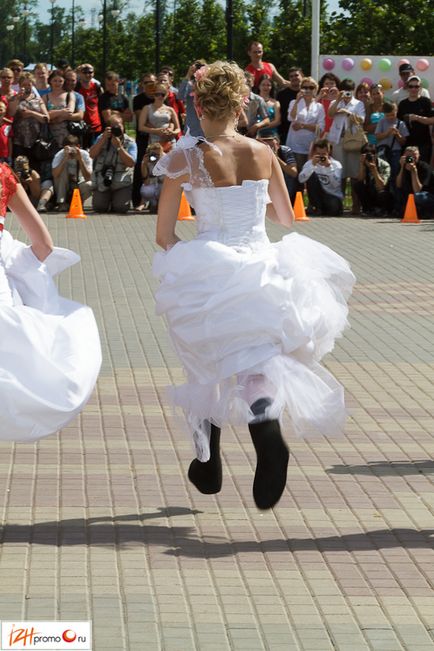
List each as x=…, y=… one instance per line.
x=246, y=315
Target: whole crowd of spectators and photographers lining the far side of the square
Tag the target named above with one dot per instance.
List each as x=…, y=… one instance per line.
x=63, y=130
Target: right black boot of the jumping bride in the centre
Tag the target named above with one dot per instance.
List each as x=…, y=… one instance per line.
x=272, y=462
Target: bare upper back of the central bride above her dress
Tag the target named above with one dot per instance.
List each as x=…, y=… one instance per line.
x=242, y=159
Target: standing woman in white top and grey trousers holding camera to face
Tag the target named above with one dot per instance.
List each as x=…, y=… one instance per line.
x=348, y=113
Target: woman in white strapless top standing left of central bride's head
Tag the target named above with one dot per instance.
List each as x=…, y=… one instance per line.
x=159, y=120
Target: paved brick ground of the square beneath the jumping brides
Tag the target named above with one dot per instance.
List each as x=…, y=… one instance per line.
x=100, y=523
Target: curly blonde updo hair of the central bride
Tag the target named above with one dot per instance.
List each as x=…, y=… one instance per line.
x=220, y=90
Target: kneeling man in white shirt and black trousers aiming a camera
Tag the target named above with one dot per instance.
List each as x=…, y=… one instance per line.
x=323, y=177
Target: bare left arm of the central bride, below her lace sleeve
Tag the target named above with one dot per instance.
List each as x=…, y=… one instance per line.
x=168, y=207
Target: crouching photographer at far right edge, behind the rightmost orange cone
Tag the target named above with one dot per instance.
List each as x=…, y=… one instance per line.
x=416, y=177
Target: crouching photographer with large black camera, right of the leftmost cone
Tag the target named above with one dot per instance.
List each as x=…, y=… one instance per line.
x=114, y=154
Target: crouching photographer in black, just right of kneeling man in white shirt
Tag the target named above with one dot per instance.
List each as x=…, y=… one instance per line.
x=372, y=183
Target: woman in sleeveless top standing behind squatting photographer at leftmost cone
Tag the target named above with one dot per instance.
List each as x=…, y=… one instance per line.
x=60, y=105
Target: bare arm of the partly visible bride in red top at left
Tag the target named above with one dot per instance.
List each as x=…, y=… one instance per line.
x=32, y=224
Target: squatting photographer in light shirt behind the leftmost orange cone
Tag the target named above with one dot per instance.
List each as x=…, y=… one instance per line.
x=72, y=168
